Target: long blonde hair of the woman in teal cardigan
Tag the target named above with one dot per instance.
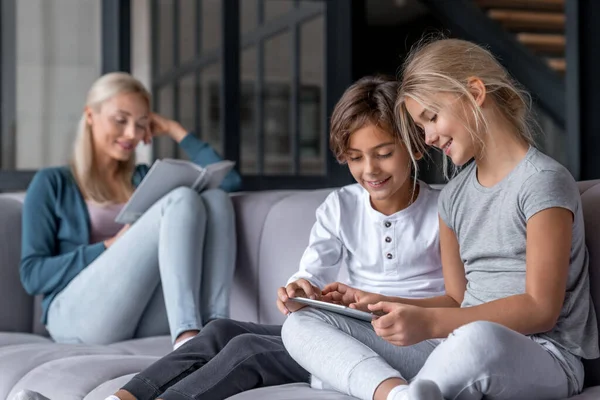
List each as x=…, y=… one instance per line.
x=83, y=165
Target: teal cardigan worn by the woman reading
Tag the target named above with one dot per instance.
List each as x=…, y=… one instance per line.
x=55, y=244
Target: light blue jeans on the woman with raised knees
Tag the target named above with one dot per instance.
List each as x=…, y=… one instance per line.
x=169, y=273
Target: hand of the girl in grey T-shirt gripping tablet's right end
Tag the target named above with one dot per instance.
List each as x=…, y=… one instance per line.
x=402, y=324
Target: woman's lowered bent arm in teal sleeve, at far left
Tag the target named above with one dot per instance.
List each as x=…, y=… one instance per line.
x=42, y=271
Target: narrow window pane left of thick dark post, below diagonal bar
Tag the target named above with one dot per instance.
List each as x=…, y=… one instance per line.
x=210, y=107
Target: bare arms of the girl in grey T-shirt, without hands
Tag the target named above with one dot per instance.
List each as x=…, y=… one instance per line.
x=537, y=310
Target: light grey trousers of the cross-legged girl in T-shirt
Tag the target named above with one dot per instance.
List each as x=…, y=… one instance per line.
x=476, y=360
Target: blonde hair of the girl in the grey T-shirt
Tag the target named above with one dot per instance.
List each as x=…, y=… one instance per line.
x=446, y=66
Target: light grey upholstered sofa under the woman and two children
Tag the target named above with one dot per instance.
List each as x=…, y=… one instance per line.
x=272, y=229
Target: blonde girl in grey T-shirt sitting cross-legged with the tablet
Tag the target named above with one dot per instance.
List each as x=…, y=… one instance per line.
x=517, y=316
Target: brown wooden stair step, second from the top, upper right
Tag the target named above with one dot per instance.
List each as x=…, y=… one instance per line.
x=516, y=19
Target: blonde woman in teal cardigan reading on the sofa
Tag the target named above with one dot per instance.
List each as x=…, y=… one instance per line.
x=171, y=271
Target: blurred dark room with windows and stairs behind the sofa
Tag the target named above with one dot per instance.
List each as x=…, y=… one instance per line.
x=258, y=79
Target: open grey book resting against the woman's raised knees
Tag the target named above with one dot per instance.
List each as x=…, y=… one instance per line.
x=168, y=174
